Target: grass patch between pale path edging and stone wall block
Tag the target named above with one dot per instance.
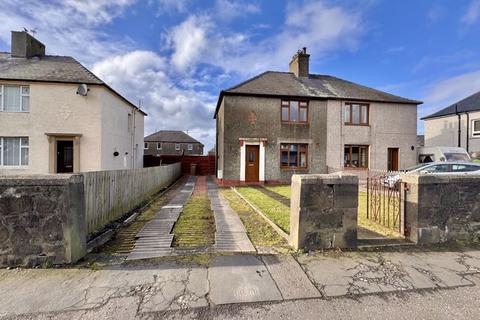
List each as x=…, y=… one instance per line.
x=276, y=211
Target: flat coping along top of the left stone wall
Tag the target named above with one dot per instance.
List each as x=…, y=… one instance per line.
x=40, y=179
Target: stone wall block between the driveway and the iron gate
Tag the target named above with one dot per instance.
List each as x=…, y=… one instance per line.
x=323, y=211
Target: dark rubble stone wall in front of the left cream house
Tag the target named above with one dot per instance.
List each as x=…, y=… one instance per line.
x=41, y=218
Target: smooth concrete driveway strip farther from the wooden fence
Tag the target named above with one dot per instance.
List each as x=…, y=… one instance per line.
x=230, y=234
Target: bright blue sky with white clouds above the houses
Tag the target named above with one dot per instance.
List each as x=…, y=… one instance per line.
x=173, y=57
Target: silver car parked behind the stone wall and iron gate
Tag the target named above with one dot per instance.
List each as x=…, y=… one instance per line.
x=458, y=167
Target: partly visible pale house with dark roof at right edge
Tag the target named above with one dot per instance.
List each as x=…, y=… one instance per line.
x=457, y=125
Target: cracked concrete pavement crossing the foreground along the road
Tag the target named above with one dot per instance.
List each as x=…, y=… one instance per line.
x=144, y=289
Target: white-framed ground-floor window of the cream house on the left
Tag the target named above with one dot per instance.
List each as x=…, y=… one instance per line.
x=14, y=151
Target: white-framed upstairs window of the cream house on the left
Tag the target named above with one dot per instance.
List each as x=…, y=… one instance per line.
x=14, y=98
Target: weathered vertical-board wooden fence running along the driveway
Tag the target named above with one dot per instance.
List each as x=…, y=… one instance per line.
x=110, y=194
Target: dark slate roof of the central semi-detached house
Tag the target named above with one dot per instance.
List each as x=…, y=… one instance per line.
x=286, y=84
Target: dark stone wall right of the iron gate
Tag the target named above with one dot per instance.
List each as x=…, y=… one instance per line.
x=443, y=208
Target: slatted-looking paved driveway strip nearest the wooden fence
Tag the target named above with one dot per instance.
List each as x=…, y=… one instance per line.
x=155, y=239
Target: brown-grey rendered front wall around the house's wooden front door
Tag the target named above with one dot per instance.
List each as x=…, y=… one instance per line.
x=236, y=113
